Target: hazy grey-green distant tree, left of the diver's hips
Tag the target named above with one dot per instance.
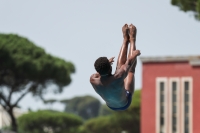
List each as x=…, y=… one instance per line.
x=85, y=106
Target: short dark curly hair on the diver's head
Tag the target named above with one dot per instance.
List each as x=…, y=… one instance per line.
x=102, y=65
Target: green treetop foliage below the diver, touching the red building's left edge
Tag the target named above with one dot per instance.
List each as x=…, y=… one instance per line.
x=128, y=120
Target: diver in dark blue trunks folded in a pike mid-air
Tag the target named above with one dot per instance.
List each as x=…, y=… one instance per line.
x=117, y=89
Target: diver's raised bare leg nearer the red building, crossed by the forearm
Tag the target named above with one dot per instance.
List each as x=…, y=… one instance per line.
x=130, y=79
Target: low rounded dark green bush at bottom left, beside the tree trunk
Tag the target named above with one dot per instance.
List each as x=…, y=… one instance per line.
x=48, y=122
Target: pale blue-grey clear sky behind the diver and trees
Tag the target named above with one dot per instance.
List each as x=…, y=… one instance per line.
x=81, y=31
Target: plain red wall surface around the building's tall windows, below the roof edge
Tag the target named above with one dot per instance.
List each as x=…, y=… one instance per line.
x=148, y=107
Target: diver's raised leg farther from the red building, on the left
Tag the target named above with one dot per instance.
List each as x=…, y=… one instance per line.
x=123, y=52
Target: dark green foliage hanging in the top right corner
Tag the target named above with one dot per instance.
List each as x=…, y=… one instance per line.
x=188, y=5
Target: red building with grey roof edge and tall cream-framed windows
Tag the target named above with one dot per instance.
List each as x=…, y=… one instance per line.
x=170, y=94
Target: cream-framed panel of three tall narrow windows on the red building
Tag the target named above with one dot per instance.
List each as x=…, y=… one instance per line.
x=174, y=105
